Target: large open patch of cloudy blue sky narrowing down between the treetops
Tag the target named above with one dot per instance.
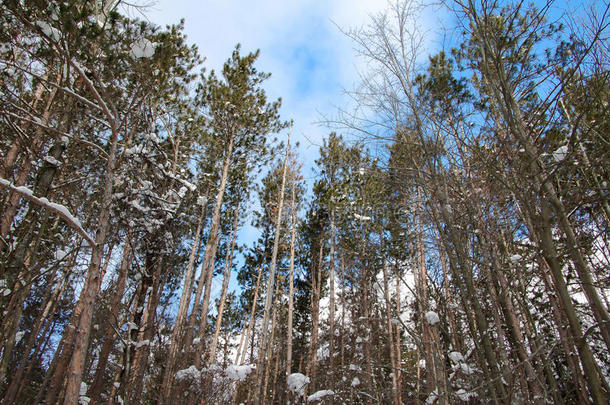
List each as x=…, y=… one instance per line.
x=310, y=60
